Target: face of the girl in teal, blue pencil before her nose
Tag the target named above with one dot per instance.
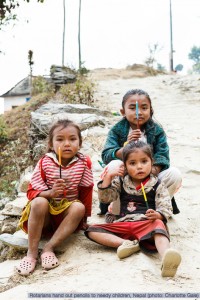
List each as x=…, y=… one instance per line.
x=144, y=110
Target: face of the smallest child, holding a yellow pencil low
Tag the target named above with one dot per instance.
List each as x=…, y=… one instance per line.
x=138, y=165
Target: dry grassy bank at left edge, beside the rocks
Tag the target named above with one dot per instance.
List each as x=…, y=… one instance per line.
x=15, y=154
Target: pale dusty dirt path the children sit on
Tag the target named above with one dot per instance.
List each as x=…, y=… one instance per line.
x=90, y=268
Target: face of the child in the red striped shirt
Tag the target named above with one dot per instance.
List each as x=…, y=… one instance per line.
x=68, y=141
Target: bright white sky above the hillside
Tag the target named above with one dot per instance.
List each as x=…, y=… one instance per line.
x=114, y=33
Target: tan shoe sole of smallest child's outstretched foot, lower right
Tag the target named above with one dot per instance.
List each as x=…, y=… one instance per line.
x=170, y=263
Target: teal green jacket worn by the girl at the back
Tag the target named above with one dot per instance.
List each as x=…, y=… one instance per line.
x=156, y=137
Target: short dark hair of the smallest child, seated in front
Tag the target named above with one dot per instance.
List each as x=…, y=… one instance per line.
x=133, y=146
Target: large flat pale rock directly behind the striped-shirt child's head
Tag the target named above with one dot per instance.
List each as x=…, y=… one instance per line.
x=43, y=118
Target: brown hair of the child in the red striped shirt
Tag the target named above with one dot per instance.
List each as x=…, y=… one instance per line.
x=63, y=124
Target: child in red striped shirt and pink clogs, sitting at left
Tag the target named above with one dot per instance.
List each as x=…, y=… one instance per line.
x=60, y=196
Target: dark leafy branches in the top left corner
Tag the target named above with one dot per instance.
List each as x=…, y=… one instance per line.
x=7, y=8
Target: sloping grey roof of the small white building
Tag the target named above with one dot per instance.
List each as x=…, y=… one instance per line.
x=21, y=88
